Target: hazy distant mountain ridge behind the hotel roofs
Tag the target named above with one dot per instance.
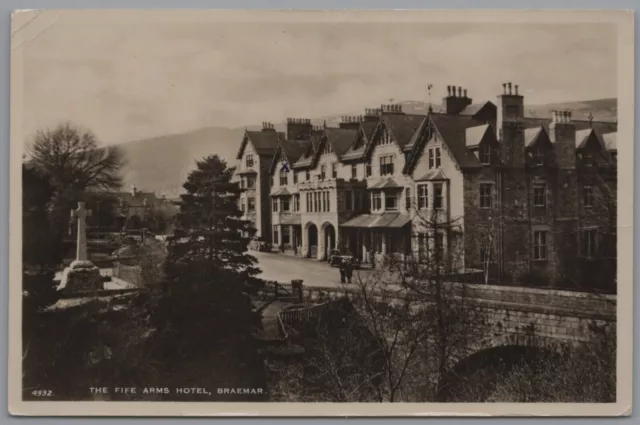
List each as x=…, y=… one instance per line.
x=161, y=164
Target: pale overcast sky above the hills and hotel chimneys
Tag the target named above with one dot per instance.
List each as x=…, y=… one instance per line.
x=131, y=78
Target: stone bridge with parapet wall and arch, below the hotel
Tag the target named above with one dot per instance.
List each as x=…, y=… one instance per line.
x=516, y=317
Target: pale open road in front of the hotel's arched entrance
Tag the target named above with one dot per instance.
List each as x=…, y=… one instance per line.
x=285, y=268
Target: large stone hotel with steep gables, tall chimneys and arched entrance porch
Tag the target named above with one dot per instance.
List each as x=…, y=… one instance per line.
x=487, y=185
